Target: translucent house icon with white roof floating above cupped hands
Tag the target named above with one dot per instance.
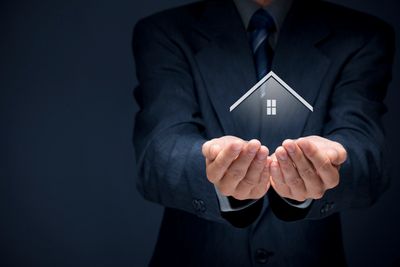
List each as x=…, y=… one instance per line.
x=269, y=110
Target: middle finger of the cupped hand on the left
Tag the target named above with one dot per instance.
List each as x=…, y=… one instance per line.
x=238, y=169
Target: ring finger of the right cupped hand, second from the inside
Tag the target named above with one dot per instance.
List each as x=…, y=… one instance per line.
x=290, y=174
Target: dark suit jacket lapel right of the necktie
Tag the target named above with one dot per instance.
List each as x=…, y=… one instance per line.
x=298, y=60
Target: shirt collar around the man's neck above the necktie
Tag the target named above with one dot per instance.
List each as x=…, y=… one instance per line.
x=278, y=10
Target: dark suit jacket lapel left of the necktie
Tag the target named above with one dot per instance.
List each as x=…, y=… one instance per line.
x=225, y=62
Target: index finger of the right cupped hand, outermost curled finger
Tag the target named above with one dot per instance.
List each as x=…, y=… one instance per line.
x=322, y=164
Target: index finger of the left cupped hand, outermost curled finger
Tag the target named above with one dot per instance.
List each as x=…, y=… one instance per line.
x=217, y=168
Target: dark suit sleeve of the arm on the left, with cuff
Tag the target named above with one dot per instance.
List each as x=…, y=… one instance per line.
x=169, y=131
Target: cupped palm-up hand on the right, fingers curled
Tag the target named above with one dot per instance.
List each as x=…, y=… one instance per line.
x=305, y=168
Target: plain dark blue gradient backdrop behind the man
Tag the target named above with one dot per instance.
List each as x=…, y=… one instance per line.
x=67, y=193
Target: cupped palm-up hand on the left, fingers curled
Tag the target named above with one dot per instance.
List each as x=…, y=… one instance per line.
x=237, y=168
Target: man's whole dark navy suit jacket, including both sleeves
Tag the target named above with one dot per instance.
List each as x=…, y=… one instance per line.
x=192, y=63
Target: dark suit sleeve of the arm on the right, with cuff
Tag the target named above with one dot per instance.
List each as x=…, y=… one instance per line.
x=354, y=120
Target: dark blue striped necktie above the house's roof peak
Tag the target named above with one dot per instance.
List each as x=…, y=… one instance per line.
x=260, y=28
